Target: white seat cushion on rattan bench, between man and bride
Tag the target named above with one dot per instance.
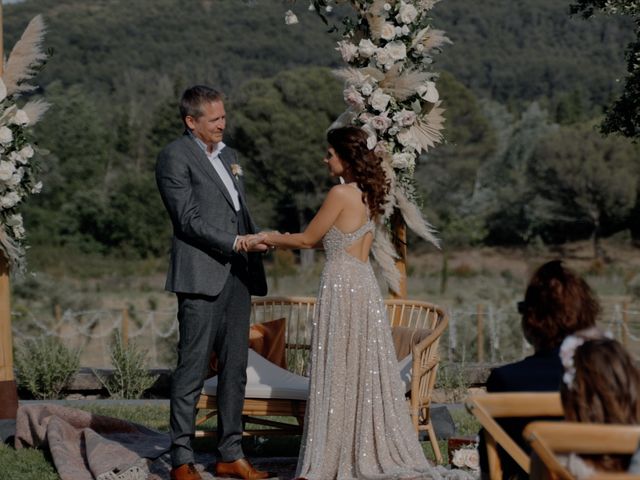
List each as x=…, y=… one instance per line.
x=267, y=380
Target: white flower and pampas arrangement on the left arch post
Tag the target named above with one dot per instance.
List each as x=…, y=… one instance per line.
x=18, y=169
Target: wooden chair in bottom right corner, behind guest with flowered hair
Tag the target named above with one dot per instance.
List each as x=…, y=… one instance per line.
x=548, y=439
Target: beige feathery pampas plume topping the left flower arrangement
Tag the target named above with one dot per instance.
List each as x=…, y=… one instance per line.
x=24, y=58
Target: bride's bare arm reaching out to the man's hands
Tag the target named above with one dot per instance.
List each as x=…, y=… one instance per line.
x=321, y=223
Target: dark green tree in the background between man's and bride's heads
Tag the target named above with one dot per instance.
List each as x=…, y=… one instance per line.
x=278, y=125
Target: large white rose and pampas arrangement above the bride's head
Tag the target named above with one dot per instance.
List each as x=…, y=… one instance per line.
x=391, y=93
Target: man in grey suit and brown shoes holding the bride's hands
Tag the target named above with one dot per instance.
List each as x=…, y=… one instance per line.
x=215, y=268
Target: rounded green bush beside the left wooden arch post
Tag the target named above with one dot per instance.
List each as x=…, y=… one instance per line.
x=44, y=366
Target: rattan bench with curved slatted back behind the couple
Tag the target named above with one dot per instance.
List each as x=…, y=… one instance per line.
x=298, y=312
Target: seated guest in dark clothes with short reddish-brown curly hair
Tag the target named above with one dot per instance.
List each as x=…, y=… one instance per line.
x=557, y=303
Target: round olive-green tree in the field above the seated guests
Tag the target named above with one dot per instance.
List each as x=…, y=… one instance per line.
x=587, y=179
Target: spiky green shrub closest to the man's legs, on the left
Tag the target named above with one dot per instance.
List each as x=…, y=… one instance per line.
x=130, y=377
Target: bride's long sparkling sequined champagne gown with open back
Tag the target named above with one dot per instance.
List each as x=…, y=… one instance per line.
x=357, y=422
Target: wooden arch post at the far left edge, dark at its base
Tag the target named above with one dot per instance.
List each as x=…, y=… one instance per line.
x=8, y=391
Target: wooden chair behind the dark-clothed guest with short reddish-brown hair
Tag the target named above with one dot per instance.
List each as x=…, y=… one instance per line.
x=491, y=406
